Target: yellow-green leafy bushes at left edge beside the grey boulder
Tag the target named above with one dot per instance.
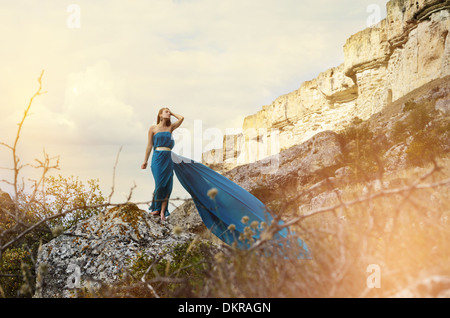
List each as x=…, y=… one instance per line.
x=59, y=195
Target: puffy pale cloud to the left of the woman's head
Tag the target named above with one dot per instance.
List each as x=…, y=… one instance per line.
x=94, y=105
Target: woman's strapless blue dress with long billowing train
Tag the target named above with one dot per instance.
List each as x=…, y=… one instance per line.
x=228, y=206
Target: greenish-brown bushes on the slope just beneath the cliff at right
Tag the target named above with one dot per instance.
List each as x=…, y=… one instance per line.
x=421, y=128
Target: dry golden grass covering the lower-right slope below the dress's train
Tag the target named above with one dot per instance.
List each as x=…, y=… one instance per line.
x=403, y=233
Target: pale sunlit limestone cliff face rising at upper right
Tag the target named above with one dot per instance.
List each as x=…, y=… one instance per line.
x=383, y=63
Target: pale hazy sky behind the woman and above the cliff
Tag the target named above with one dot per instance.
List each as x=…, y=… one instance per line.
x=109, y=66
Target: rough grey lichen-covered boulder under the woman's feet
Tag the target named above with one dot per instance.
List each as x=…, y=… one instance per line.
x=98, y=249
